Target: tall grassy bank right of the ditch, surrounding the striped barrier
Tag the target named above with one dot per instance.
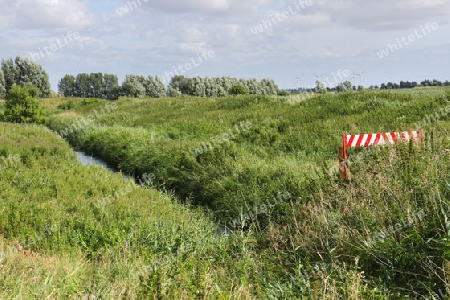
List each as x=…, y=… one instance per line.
x=383, y=234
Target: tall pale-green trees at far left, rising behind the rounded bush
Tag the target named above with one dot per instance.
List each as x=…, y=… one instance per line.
x=23, y=72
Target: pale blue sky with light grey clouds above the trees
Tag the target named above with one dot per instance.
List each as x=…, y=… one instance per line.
x=293, y=42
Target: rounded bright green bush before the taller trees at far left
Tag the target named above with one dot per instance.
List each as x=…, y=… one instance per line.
x=22, y=105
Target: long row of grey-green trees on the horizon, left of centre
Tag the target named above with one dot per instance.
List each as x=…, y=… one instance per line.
x=106, y=86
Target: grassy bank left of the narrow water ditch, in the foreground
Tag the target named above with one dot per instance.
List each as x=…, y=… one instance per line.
x=56, y=242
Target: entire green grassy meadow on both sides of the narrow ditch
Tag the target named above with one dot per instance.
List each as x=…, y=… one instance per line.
x=259, y=168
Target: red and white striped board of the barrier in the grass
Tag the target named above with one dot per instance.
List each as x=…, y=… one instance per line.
x=364, y=140
